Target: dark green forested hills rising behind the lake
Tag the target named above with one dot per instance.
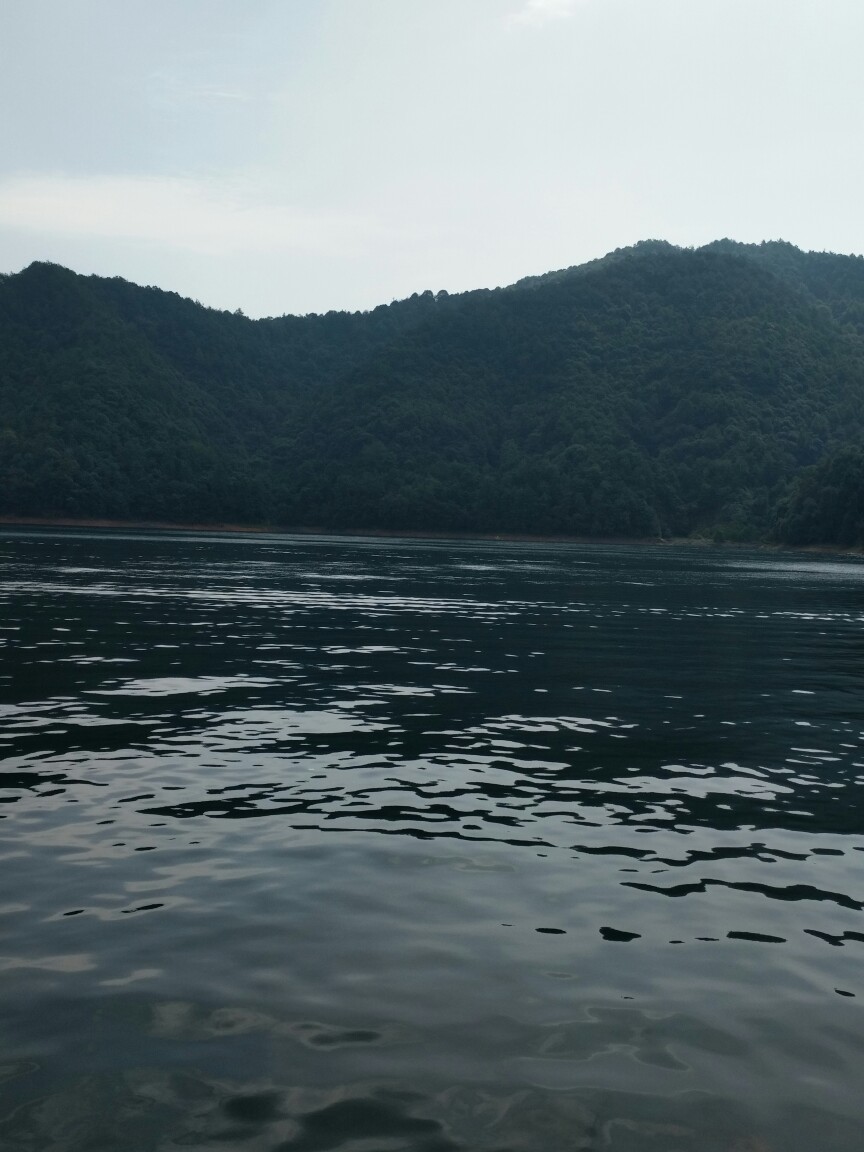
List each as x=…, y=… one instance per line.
x=658, y=391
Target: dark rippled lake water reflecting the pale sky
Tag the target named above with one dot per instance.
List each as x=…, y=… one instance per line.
x=378, y=846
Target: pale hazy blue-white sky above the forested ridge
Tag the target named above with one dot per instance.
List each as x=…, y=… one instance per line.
x=300, y=156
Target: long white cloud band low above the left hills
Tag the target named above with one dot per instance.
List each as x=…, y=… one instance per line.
x=214, y=217
